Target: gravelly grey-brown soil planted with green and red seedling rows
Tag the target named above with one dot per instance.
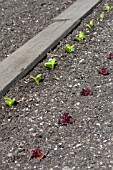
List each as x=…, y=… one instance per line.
x=88, y=142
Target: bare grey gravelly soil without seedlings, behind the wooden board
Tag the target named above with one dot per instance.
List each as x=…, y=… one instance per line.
x=20, y=20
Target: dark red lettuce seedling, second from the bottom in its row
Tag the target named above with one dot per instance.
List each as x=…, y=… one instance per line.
x=66, y=119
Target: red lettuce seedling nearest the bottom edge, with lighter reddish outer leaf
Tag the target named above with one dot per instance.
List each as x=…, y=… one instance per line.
x=36, y=153
